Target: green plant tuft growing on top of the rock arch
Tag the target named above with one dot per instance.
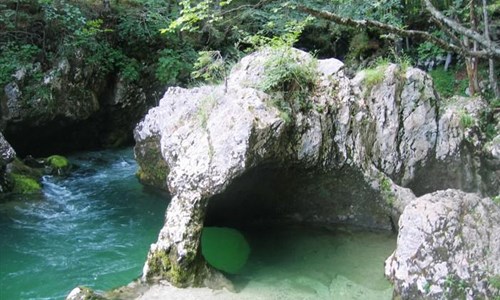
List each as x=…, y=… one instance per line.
x=290, y=79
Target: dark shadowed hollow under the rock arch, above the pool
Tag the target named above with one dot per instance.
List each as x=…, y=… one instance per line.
x=272, y=195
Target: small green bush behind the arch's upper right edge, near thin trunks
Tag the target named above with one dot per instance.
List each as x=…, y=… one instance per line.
x=446, y=83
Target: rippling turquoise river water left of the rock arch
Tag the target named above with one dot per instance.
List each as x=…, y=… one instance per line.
x=93, y=228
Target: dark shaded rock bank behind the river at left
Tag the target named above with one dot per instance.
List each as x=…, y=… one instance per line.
x=74, y=107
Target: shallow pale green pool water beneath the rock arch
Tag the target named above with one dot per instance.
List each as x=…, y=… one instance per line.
x=301, y=263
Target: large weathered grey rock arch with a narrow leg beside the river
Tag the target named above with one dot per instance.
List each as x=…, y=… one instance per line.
x=357, y=141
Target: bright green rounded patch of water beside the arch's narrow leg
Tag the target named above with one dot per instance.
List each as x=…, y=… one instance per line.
x=224, y=248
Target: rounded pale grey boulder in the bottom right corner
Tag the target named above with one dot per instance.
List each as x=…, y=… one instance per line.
x=448, y=247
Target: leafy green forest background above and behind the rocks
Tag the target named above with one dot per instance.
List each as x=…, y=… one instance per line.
x=186, y=42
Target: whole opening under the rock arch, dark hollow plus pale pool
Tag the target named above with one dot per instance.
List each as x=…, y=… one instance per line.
x=311, y=234
